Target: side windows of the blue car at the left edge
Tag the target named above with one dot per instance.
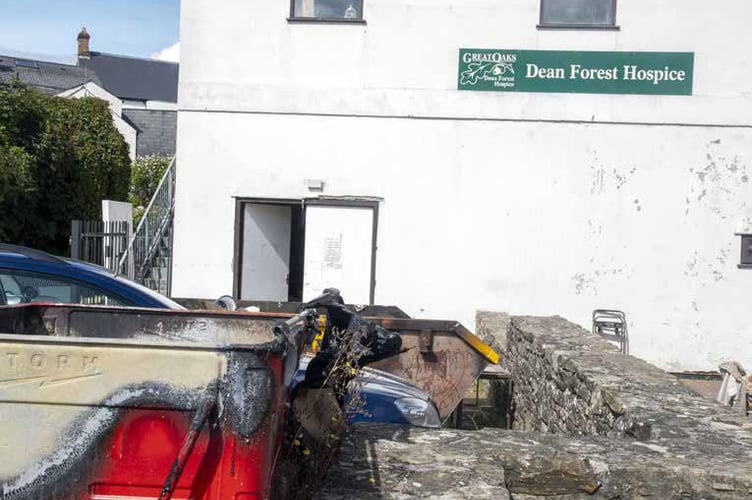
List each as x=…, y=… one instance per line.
x=26, y=287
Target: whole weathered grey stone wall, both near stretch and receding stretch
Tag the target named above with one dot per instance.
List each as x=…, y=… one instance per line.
x=613, y=426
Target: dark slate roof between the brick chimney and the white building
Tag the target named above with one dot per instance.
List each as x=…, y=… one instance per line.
x=135, y=78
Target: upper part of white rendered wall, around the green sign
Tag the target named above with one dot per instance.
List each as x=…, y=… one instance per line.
x=245, y=56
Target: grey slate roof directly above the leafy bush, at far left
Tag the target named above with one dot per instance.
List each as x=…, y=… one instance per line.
x=50, y=78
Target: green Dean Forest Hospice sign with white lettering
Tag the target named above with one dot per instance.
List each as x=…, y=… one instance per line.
x=665, y=73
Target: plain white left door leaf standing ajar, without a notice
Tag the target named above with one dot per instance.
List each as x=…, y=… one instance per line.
x=266, y=252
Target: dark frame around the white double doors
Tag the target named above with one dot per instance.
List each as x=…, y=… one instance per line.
x=237, y=259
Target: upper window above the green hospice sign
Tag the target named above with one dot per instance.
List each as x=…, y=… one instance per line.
x=578, y=13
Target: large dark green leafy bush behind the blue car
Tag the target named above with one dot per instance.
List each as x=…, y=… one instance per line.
x=58, y=159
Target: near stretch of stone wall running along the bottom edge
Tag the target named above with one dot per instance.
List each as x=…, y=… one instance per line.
x=400, y=463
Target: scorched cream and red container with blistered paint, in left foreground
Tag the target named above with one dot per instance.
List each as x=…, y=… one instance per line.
x=108, y=403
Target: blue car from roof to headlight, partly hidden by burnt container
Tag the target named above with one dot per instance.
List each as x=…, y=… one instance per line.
x=32, y=276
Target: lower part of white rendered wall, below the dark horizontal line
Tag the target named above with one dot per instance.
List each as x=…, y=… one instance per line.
x=554, y=219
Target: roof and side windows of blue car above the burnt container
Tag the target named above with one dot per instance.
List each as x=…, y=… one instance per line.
x=31, y=276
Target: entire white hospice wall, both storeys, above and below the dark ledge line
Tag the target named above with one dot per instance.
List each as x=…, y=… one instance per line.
x=528, y=203
